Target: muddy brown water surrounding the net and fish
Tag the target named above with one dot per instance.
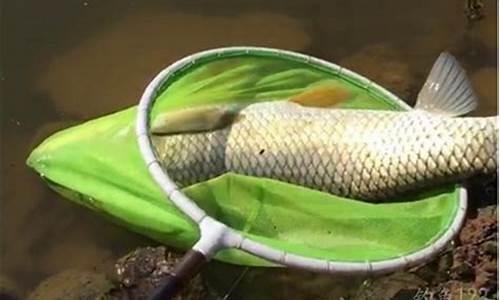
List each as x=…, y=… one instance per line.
x=64, y=62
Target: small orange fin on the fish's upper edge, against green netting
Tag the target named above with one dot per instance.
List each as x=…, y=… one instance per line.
x=325, y=95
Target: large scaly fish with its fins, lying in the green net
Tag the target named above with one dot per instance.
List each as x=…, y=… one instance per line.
x=308, y=140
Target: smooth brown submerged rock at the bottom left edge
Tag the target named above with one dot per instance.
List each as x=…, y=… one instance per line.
x=73, y=285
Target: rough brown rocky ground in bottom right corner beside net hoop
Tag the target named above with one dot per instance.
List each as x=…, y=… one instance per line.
x=468, y=270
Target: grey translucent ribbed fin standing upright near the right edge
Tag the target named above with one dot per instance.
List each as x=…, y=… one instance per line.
x=447, y=90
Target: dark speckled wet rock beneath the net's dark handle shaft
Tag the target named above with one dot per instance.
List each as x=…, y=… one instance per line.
x=144, y=270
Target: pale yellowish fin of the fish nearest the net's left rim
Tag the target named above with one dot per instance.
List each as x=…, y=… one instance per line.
x=196, y=119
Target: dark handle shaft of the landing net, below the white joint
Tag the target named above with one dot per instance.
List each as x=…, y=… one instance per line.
x=187, y=268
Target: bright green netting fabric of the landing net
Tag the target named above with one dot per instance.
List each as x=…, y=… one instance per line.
x=98, y=164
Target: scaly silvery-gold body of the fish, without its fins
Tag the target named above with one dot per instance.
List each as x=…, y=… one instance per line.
x=364, y=154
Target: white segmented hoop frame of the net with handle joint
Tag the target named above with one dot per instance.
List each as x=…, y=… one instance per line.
x=214, y=234
